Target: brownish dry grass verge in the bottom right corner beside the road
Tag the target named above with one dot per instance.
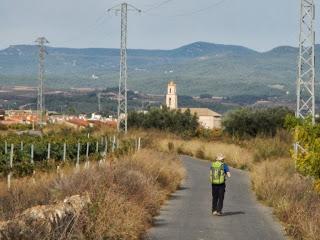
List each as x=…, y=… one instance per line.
x=294, y=200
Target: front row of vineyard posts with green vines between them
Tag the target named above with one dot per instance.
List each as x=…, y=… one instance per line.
x=23, y=159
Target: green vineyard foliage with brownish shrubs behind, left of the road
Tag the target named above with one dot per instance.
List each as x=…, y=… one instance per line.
x=30, y=152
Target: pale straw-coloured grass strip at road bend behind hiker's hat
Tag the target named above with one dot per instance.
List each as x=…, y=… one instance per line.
x=236, y=156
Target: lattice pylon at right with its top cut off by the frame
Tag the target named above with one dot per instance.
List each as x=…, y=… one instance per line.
x=306, y=65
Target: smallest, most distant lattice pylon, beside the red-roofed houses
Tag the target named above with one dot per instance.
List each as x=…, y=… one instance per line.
x=40, y=101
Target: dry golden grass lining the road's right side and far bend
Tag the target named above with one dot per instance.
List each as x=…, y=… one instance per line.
x=273, y=175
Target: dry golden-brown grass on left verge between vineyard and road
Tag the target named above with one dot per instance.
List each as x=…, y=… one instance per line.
x=125, y=195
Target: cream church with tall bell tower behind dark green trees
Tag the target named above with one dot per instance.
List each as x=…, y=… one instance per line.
x=207, y=118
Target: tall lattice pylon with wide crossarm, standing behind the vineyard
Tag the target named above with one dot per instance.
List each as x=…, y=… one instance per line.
x=122, y=123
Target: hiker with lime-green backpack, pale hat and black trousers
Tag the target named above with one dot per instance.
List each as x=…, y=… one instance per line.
x=218, y=172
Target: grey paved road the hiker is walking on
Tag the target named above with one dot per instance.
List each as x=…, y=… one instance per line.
x=187, y=215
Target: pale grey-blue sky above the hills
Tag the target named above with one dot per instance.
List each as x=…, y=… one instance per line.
x=163, y=24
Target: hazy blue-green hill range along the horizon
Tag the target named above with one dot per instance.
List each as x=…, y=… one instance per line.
x=198, y=68
